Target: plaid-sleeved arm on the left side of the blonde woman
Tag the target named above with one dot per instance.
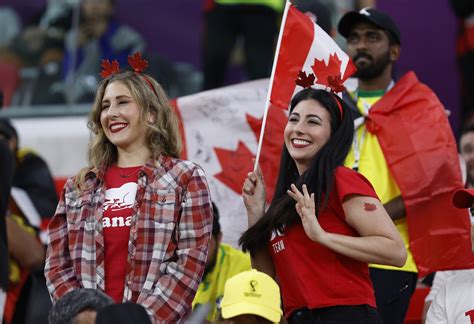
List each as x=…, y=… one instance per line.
x=58, y=270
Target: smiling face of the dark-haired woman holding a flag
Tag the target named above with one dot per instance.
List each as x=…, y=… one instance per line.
x=307, y=130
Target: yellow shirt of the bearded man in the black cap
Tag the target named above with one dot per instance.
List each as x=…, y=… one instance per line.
x=373, y=166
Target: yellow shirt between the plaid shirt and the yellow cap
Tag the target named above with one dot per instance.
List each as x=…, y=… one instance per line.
x=229, y=262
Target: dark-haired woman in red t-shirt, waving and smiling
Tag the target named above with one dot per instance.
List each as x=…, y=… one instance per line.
x=325, y=223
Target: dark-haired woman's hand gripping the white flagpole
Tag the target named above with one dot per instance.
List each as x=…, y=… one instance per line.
x=254, y=195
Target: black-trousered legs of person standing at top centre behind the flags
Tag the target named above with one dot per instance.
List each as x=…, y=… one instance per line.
x=256, y=21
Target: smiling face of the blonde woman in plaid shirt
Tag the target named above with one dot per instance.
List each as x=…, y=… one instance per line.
x=120, y=118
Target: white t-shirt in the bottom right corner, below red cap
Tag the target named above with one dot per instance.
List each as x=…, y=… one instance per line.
x=454, y=303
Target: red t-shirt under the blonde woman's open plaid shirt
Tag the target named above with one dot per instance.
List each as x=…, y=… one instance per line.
x=121, y=184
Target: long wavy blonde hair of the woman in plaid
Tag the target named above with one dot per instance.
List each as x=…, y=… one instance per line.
x=162, y=135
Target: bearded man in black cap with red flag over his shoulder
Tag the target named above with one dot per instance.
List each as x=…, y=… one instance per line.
x=374, y=44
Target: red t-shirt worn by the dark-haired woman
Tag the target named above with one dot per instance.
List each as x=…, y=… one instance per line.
x=314, y=276
